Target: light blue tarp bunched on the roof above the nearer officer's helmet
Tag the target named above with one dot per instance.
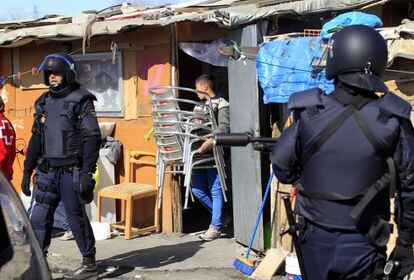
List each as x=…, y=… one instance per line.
x=350, y=18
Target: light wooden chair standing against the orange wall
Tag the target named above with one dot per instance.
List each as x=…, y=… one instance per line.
x=129, y=191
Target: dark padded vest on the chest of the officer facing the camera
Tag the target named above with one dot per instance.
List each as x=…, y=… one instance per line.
x=58, y=120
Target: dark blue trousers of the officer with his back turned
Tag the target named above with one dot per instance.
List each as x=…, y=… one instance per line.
x=333, y=255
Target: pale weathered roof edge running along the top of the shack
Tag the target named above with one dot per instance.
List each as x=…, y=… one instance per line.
x=235, y=15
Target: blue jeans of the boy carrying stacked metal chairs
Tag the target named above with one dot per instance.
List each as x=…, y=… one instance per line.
x=206, y=187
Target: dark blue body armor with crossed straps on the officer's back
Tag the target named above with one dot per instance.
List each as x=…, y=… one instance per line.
x=336, y=175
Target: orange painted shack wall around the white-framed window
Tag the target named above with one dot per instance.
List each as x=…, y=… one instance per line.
x=146, y=62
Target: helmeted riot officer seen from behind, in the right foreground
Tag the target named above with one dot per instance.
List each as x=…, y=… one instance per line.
x=347, y=152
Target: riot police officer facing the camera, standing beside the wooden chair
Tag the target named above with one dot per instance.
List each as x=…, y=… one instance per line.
x=64, y=147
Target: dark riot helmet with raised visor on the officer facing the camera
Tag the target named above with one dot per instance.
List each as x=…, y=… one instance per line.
x=62, y=63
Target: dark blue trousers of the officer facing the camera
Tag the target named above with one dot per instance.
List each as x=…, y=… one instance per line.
x=62, y=185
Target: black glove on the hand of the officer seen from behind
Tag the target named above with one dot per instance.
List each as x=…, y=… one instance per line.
x=403, y=252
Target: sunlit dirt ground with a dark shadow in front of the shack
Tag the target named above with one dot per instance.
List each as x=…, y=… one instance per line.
x=159, y=256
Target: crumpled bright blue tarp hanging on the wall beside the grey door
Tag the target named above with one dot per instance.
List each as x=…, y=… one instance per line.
x=285, y=67
